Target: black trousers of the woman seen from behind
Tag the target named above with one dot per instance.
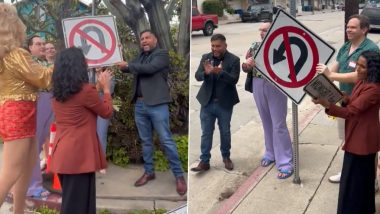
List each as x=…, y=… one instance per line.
x=78, y=193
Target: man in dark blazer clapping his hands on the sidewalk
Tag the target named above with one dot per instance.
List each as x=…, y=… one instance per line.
x=219, y=71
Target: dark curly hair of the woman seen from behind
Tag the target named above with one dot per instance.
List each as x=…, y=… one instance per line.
x=70, y=73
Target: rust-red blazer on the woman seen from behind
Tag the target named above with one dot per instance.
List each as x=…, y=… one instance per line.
x=76, y=146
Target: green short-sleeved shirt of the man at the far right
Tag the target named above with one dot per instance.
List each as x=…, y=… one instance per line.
x=344, y=60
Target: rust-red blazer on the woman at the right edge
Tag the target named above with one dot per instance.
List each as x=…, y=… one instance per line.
x=362, y=128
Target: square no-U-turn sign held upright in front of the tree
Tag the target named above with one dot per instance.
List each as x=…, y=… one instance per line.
x=97, y=36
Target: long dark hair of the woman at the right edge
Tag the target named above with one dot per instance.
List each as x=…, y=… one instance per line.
x=373, y=66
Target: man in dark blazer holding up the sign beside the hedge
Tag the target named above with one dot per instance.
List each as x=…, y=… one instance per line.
x=151, y=96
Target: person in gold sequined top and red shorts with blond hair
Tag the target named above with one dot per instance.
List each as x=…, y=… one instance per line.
x=20, y=78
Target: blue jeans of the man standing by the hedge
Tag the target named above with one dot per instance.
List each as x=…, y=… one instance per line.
x=157, y=117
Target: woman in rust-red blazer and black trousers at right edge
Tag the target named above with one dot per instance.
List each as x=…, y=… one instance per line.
x=362, y=137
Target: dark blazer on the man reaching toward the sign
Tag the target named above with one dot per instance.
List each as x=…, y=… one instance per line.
x=153, y=75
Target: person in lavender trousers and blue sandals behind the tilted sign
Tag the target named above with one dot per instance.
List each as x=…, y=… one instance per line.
x=272, y=106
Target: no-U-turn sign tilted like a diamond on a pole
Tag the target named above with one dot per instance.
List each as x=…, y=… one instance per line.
x=289, y=54
